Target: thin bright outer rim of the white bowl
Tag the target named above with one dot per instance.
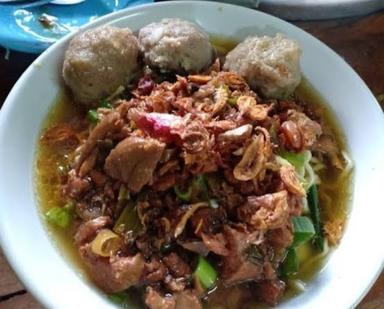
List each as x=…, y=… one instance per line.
x=9, y=250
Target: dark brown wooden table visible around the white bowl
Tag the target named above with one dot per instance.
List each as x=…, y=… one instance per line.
x=359, y=40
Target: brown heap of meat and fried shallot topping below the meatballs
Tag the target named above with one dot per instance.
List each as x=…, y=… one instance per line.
x=186, y=169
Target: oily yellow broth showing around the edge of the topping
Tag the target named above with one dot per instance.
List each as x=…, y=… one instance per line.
x=334, y=191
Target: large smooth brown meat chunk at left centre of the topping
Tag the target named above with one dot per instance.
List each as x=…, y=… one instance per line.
x=133, y=161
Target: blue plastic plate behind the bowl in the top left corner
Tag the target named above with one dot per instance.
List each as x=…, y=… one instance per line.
x=20, y=28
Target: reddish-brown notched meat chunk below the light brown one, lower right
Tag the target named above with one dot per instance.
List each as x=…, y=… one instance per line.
x=236, y=267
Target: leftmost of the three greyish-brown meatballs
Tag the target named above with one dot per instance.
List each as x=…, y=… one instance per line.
x=98, y=61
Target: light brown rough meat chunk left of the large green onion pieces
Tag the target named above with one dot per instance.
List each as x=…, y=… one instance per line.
x=269, y=211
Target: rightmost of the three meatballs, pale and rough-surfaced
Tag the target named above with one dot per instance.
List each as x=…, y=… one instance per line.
x=271, y=65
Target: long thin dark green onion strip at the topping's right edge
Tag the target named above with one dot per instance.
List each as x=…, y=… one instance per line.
x=313, y=204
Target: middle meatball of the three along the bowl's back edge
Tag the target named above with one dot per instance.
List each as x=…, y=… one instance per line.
x=175, y=45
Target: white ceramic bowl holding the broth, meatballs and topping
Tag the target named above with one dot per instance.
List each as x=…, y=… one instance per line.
x=352, y=268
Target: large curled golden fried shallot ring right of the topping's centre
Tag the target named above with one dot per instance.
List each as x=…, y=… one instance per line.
x=256, y=155
